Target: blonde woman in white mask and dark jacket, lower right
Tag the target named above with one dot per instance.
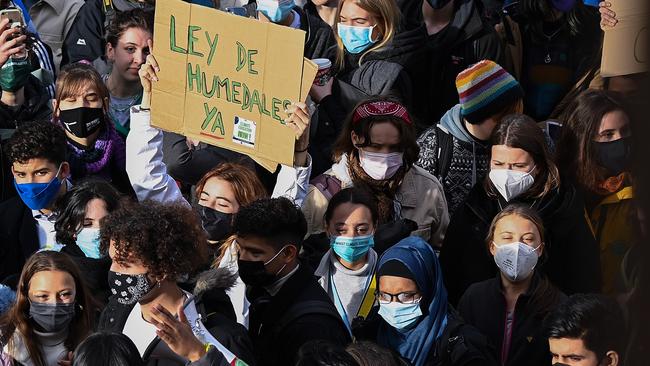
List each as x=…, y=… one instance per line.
x=510, y=307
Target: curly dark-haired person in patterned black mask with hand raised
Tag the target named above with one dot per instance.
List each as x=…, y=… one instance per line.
x=147, y=304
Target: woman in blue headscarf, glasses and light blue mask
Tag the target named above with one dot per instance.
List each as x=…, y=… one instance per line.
x=415, y=319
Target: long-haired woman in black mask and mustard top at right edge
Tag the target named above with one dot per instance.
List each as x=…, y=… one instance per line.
x=594, y=151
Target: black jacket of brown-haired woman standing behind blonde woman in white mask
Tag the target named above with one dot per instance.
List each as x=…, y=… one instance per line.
x=573, y=263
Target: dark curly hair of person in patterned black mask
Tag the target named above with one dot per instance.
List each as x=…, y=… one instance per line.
x=167, y=238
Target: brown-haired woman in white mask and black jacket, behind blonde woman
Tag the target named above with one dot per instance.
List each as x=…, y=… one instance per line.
x=522, y=171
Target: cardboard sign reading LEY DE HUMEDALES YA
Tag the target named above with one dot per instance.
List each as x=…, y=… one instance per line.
x=226, y=80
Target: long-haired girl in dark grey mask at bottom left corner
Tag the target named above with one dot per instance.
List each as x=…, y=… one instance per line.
x=53, y=312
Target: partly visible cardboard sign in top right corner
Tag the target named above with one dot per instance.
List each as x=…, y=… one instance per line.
x=625, y=46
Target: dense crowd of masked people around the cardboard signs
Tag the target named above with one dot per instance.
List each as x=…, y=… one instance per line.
x=463, y=193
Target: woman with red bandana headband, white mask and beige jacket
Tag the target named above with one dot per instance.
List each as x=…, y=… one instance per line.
x=377, y=150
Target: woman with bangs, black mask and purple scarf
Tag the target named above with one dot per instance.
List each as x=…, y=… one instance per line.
x=95, y=149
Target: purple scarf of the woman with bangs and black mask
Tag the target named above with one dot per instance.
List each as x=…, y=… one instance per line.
x=108, y=146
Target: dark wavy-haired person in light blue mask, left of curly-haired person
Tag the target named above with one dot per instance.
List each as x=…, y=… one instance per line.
x=77, y=229
